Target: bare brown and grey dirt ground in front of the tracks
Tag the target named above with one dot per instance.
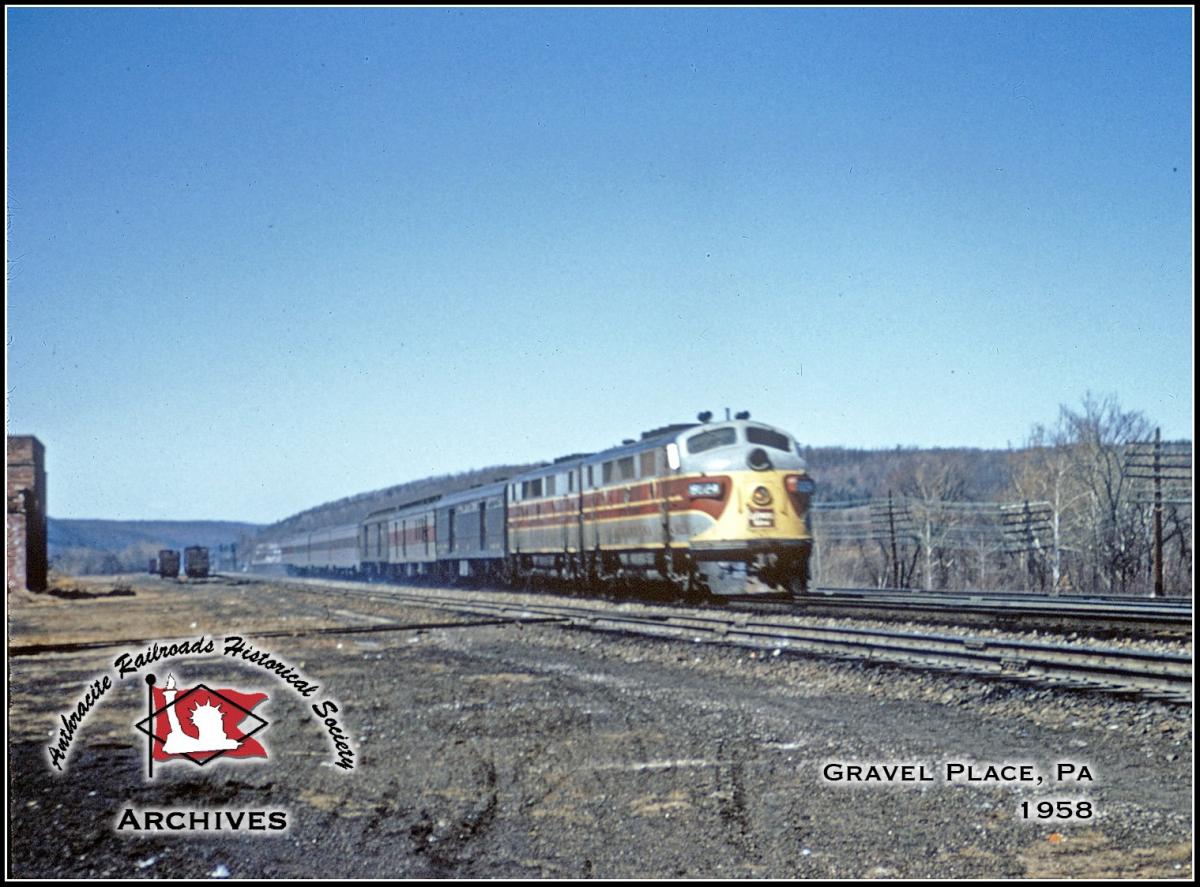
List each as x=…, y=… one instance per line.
x=502, y=751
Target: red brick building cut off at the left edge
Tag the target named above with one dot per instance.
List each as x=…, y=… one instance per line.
x=26, y=543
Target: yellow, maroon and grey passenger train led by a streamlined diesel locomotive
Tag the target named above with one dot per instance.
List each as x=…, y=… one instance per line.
x=712, y=508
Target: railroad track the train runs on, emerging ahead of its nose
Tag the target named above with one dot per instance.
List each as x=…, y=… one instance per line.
x=1094, y=616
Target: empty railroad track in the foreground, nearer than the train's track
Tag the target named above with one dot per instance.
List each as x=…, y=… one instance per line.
x=1143, y=674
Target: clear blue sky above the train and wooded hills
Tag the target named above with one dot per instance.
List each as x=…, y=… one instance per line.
x=266, y=259
